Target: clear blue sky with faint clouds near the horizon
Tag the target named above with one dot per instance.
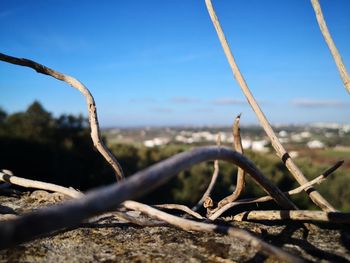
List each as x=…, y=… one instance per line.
x=160, y=62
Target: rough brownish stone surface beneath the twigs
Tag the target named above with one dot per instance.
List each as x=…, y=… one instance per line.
x=111, y=240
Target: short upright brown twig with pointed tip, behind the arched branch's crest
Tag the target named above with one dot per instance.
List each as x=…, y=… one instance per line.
x=237, y=144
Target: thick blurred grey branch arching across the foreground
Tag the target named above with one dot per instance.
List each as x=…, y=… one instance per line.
x=71, y=213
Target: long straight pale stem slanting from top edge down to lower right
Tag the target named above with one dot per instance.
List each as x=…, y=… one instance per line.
x=281, y=152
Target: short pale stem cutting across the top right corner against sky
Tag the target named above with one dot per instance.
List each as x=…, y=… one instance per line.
x=328, y=38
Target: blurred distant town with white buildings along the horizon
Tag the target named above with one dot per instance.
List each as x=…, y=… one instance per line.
x=315, y=136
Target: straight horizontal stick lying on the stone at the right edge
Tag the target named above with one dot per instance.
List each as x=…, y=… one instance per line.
x=296, y=215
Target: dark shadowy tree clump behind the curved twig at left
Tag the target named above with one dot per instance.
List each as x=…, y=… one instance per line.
x=35, y=145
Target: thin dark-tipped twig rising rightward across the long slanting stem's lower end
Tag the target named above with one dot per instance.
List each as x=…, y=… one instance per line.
x=318, y=180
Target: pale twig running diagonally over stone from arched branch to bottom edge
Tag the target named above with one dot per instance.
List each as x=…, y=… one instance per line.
x=190, y=225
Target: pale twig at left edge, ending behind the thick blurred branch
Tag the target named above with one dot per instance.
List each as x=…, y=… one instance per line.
x=5, y=177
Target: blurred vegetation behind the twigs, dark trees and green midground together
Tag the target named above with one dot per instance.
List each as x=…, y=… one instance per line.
x=36, y=145
